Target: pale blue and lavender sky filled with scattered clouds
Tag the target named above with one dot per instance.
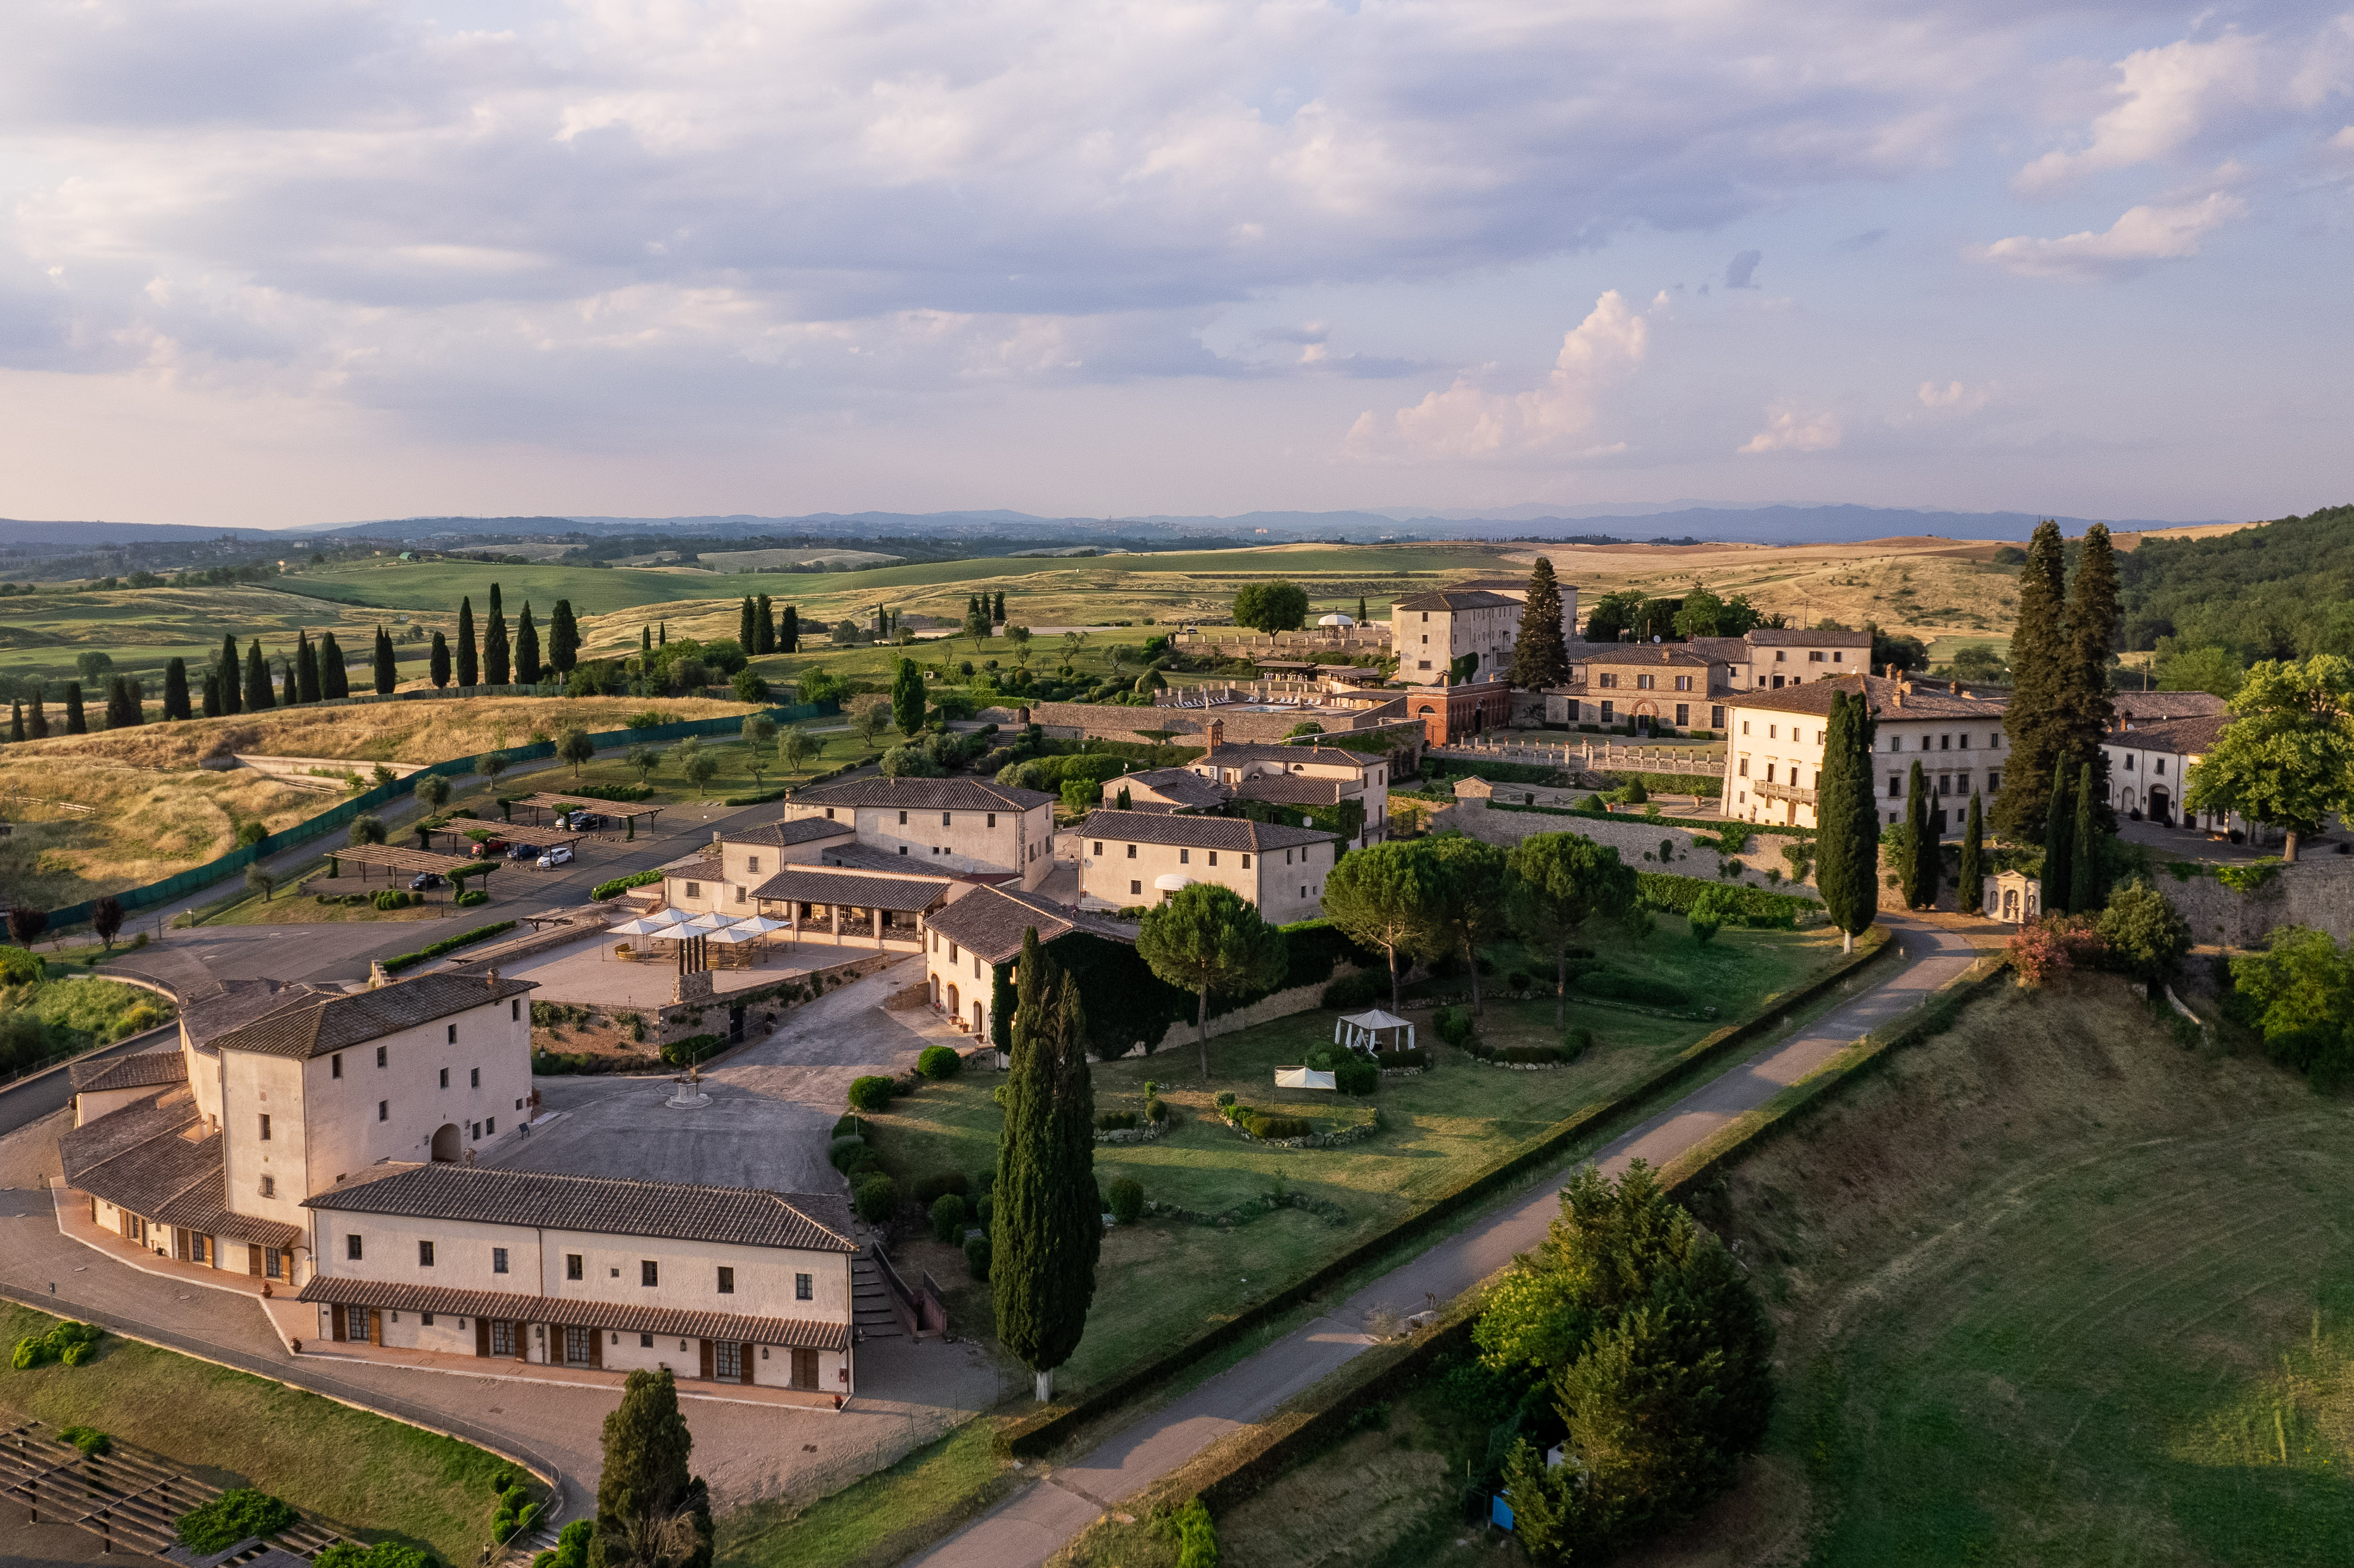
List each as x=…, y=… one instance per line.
x=272, y=263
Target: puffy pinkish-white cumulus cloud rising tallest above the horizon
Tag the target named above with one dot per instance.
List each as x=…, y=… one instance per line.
x=1468, y=423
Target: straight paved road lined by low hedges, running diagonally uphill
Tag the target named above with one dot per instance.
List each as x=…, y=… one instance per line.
x=1039, y=1520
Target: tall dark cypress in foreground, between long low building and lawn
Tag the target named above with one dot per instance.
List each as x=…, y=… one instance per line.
x=1049, y=1223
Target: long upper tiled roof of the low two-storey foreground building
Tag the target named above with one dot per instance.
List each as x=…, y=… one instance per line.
x=743, y=1216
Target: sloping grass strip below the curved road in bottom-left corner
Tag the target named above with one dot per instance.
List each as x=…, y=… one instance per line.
x=359, y=1470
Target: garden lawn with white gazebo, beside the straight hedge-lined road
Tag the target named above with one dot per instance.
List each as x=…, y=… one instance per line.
x=1164, y=1282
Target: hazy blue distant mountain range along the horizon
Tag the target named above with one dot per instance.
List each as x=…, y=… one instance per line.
x=1621, y=521
